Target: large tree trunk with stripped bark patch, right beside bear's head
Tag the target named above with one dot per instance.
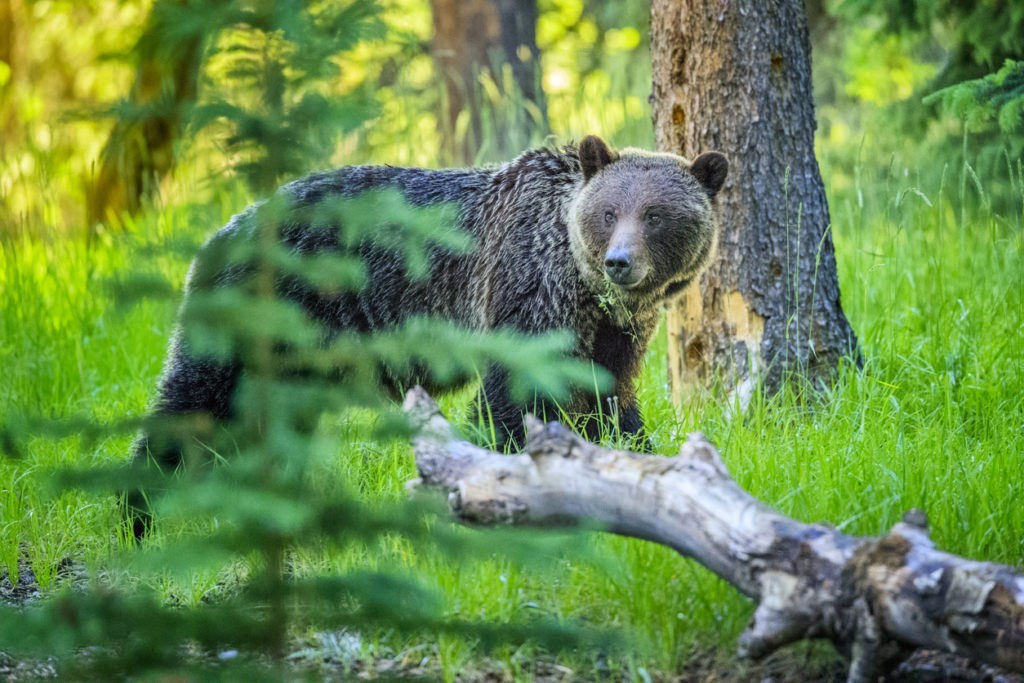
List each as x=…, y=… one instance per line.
x=737, y=77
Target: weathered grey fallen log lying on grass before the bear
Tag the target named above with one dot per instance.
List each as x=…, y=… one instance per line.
x=877, y=599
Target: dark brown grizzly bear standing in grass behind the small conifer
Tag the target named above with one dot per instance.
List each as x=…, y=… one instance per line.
x=584, y=239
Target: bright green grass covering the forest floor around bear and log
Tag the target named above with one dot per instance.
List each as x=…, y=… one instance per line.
x=935, y=420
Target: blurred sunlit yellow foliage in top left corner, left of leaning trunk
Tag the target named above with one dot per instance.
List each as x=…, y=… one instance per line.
x=63, y=59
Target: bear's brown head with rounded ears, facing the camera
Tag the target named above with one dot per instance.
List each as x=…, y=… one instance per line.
x=644, y=225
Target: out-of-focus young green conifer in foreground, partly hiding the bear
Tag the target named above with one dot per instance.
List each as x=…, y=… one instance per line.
x=250, y=497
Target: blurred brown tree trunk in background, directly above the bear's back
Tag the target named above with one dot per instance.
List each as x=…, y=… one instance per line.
x=475, y=37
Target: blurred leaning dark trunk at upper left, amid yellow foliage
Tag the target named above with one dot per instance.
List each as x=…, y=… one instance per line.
x=140, y=151
